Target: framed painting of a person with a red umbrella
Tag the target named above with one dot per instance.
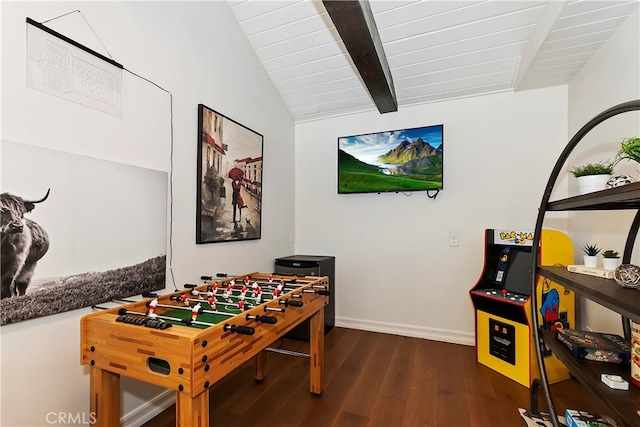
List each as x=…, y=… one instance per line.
x=229, y=191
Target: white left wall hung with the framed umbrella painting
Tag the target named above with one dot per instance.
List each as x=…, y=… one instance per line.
x=196, y=51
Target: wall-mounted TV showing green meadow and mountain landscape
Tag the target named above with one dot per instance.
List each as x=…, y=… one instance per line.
x=400, y=160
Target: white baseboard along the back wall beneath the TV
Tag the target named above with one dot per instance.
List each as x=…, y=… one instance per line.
x=456, y=337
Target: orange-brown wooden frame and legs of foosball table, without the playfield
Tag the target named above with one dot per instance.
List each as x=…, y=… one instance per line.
x=194, y=358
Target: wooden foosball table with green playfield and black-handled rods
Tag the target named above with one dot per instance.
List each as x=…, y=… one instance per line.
x=188, y=340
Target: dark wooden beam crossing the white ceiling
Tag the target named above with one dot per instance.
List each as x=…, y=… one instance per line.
x=354, y=21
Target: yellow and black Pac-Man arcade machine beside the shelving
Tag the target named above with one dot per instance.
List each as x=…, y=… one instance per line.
x=502, y=301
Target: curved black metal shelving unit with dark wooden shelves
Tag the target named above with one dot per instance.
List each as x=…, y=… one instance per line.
x=623, y=405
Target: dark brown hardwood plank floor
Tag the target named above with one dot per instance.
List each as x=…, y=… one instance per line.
x=374, y=379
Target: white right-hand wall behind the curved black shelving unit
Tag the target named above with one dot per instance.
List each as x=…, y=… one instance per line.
x=610, y=78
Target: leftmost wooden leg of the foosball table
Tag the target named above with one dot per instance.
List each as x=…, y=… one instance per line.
x=105, y=397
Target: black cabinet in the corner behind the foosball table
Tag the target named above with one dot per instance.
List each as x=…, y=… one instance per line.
x=311, y=265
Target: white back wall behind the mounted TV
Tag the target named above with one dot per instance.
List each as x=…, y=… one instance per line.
x=395, y=271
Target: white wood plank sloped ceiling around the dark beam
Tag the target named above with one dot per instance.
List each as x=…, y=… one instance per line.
x=436, y=50
